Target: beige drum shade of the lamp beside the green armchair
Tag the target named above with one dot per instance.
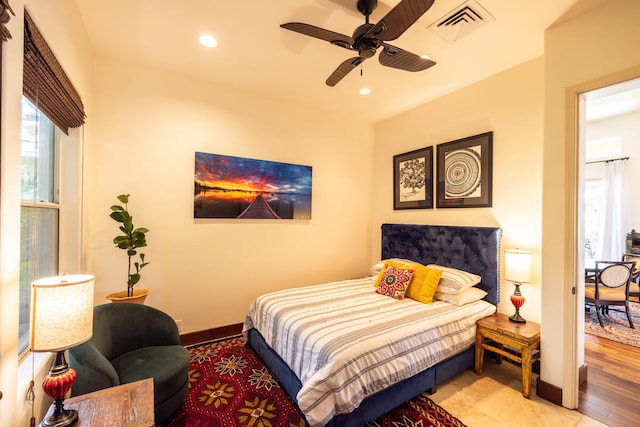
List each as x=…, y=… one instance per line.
x=61, y=312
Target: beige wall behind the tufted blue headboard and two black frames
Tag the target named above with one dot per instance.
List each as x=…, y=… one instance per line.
x=509, y=104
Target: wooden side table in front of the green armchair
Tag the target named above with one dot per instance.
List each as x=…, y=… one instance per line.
x=124, y=405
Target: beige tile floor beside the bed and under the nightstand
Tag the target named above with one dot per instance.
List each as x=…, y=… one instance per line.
x=494, y=399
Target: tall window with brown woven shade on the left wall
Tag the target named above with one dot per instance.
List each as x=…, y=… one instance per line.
x=50, y=107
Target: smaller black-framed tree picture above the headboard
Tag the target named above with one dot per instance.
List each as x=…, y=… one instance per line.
x=413, y=179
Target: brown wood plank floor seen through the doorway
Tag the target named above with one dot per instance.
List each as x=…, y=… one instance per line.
x=611, y=394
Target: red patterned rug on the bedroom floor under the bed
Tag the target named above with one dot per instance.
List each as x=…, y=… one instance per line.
x=230, y=386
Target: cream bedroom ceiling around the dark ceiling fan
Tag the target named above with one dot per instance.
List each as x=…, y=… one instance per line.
x=255, y=54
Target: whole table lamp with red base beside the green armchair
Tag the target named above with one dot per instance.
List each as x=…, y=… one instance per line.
x=61, y=318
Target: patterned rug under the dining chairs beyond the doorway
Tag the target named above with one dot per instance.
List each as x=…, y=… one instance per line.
x=615, y=325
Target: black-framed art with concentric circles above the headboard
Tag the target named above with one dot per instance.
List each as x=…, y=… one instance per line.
x=464, y=177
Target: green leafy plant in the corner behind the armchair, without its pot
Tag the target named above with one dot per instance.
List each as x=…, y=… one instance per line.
x=130, y=241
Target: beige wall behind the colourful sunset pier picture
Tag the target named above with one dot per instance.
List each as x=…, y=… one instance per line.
x=147, y=127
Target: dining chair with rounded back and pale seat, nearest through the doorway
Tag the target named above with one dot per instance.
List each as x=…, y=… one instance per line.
x=610, y=287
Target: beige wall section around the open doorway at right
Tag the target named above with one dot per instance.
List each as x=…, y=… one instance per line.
x=594, y=49
